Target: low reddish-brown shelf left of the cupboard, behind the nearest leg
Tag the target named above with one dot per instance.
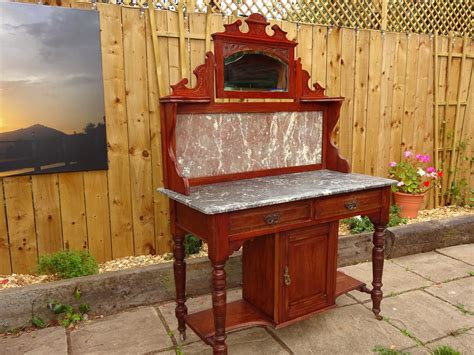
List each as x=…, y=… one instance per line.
x=240, y=314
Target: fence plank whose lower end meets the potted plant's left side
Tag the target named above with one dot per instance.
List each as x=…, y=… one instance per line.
x=398, y=97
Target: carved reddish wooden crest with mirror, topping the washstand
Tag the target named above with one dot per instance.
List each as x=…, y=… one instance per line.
x=258, y=63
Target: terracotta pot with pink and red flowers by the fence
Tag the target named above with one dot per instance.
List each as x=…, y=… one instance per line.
x=415, y=178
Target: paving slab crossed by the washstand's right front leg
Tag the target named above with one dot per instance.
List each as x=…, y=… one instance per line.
x=395, y=279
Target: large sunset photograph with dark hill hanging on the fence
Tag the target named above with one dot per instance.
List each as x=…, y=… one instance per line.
x=51, y=91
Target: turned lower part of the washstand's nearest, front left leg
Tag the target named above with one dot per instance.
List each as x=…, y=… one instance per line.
x=219, y=302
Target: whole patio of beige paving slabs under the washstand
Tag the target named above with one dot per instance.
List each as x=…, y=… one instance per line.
x=429, y=301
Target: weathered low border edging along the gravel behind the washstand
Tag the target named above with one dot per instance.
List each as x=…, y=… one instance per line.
x=114, y=291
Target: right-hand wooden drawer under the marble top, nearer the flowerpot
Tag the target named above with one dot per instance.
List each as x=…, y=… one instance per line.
x=347, y=205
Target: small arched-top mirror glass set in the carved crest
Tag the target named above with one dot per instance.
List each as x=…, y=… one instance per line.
x=255, y=71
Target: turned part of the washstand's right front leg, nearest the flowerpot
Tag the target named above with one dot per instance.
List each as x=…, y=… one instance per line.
x=377, y=268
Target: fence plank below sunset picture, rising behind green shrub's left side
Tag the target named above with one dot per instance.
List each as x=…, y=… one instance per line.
x=47, y=213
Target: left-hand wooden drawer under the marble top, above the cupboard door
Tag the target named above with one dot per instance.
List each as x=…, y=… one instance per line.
x=269, y=218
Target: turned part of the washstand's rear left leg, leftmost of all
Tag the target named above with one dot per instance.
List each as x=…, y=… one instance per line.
x=179, y=267
